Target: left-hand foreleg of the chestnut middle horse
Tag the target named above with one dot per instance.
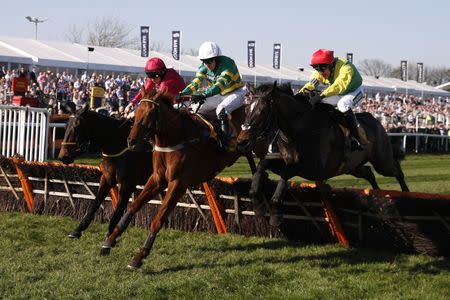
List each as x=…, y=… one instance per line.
x=151, y=189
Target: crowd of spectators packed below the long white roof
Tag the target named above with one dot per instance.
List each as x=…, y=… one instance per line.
x=396, y=112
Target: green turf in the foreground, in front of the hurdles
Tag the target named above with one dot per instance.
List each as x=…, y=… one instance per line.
x=38, y=261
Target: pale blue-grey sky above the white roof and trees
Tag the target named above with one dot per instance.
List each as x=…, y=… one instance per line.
x=390, y=30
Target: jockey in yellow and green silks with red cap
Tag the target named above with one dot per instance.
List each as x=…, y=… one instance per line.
x=344, y=87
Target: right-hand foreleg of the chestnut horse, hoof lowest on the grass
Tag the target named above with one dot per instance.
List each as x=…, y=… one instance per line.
x=175, y=191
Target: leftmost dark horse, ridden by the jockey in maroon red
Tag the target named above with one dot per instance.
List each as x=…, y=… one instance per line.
x=119, y=166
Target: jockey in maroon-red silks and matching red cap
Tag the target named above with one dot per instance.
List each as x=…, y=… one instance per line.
x=165, y=81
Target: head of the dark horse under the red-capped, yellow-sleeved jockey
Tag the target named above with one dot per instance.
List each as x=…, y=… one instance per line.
x=259, y=126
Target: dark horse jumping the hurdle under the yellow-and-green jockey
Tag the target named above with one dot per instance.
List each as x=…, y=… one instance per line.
x=311, y=142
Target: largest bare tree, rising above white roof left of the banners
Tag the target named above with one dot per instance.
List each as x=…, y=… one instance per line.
x=109, y=32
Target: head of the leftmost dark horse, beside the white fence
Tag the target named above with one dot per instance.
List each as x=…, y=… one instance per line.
x=76, y=136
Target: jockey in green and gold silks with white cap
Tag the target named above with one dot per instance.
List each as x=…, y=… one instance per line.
x=225, y=92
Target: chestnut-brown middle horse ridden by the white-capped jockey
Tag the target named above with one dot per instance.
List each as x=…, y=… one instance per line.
x=184, y=155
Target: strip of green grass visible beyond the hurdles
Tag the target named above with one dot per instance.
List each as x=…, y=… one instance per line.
x=423, y=173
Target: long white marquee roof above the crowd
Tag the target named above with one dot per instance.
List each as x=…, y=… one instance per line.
x=76, y=56
